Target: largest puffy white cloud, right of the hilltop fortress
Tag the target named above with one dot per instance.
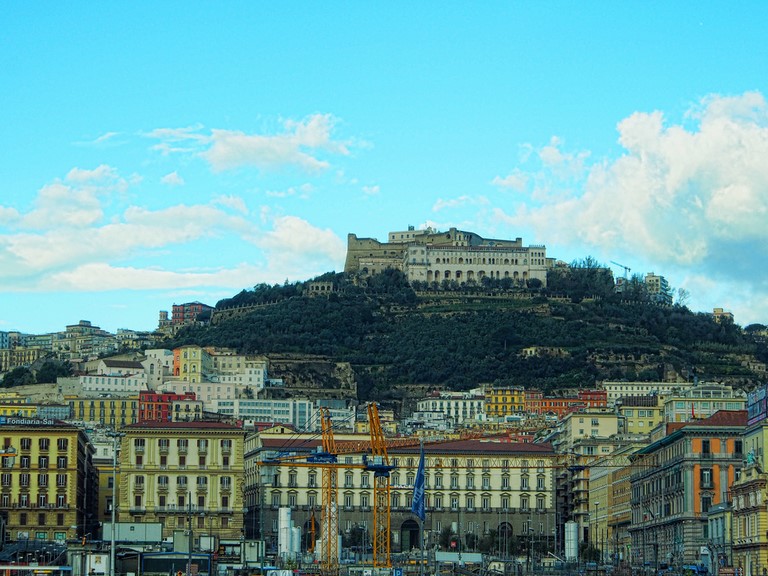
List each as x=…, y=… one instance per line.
x=693, y=195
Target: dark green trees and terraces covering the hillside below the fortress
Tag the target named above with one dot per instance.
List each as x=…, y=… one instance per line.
x=573, y=334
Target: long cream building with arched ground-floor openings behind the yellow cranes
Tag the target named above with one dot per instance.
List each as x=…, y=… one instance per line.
x=479, y=488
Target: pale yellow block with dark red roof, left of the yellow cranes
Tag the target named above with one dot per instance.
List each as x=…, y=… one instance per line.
x=175, y=473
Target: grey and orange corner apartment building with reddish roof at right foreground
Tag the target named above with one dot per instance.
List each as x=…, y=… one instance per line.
x=676, y=480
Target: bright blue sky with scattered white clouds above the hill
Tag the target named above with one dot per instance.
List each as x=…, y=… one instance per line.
x=162, y=152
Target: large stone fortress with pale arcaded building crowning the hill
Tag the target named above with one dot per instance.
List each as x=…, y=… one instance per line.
x=432, y=256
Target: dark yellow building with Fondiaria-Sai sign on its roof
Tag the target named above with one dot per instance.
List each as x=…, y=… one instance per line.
x=47, y=488
